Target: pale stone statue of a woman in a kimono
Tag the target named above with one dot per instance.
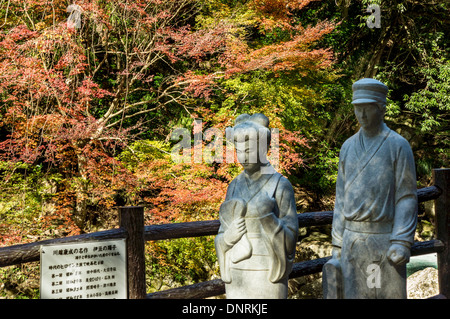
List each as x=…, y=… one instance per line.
x=258, y=231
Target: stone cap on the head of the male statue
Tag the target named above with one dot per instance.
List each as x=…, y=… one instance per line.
x=369, y=90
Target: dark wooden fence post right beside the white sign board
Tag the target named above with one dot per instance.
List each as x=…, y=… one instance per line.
x=131, y=218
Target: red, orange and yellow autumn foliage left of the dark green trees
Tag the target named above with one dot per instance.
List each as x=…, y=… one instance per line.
x=89, y=97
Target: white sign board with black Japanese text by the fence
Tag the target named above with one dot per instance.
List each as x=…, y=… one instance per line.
x=89, y=270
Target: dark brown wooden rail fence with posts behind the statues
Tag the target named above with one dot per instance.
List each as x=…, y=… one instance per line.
x=131, y=227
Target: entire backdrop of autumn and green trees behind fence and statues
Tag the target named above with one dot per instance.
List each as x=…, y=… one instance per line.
x=86, y=113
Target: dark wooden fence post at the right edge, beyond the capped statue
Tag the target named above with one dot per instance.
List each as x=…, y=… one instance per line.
x=441, y=179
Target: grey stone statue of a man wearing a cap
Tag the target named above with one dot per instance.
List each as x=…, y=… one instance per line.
x=375, y=213
